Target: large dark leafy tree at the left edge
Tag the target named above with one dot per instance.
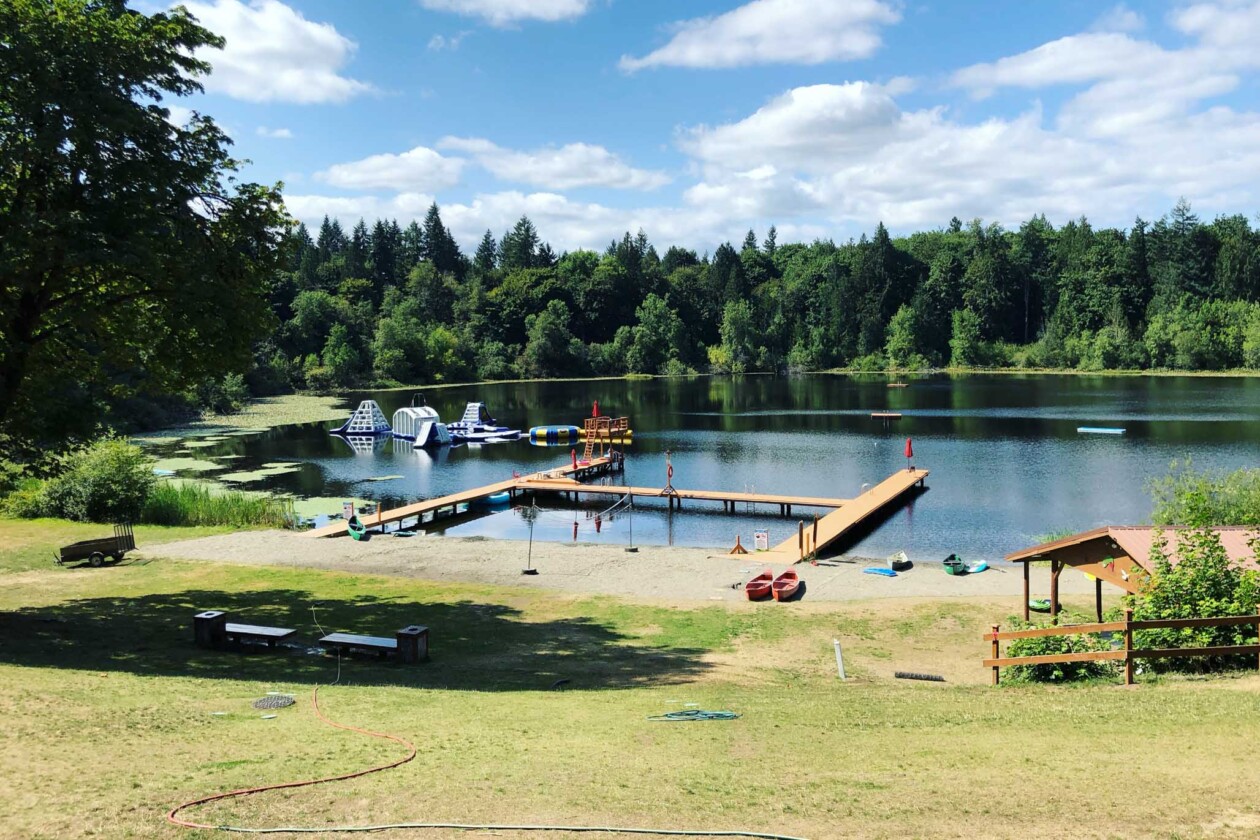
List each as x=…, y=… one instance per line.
x=130, y=256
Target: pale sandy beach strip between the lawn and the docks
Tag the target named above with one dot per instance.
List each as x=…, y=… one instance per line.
x=657, y=574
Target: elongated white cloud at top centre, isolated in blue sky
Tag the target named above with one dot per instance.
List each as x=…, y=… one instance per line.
x=776, y=32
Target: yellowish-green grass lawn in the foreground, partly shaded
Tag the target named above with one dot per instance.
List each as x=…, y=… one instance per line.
x=114, y=717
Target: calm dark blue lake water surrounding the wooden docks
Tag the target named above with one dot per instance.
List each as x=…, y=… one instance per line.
x=1007, y=463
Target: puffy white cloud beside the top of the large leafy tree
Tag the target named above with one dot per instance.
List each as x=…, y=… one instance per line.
x=275, y=55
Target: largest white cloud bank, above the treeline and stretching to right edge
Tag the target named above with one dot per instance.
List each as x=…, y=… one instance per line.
x=1141, y=125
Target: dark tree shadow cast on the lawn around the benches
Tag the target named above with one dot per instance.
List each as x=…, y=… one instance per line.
x=473, y=647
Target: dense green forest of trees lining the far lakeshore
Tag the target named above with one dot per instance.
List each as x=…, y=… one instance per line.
x=390, y=304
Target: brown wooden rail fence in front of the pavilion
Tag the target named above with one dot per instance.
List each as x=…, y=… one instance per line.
x=1127, y=653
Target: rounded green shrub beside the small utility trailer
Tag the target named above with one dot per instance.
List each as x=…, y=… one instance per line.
x=108, y=482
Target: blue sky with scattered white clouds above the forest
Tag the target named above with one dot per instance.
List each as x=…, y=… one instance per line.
x=821, y=116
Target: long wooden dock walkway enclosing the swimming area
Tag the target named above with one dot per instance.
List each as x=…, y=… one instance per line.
x=817, y=537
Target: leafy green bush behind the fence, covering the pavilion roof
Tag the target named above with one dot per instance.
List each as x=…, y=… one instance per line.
x=1204, y=584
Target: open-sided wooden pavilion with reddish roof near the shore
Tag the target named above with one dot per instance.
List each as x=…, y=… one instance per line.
x=1121, y=555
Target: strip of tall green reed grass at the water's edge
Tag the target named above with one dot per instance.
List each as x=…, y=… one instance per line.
x=192, y=504
